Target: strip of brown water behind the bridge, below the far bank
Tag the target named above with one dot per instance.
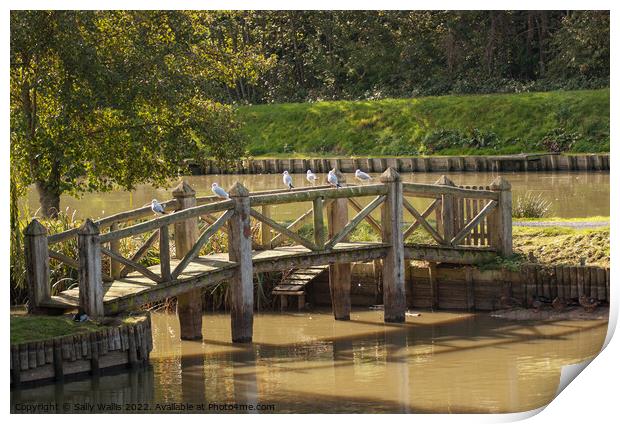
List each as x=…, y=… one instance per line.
x=572, y=194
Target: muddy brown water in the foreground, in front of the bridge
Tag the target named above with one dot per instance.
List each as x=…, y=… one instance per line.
x=436, y=363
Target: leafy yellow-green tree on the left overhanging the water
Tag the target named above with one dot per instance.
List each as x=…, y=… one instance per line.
x=117, y=98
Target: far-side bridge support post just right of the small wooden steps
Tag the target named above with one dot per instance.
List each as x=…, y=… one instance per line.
x=339, y=273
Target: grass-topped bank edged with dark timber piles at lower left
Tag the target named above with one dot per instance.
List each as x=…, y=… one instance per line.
x=53, y=348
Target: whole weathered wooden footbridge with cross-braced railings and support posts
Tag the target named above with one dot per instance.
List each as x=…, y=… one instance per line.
x=470, y=224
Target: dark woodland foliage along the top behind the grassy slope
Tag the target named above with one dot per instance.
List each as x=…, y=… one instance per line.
x=370, y=55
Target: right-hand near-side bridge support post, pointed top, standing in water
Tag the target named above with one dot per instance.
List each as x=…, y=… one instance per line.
x=394, y=302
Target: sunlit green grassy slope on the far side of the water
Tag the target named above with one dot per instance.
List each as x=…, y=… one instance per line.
x=473, y=124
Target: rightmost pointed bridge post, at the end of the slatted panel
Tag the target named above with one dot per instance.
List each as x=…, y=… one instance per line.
x=502, y=217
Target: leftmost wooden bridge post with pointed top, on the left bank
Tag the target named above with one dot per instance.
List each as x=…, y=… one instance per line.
x=37, y=264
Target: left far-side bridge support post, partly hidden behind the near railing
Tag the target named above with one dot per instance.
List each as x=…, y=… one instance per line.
x=189, y=304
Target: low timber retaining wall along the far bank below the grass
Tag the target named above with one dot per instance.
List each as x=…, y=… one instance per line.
x=531, y=162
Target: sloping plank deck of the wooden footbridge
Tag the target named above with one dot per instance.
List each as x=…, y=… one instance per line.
x=136, y=289
